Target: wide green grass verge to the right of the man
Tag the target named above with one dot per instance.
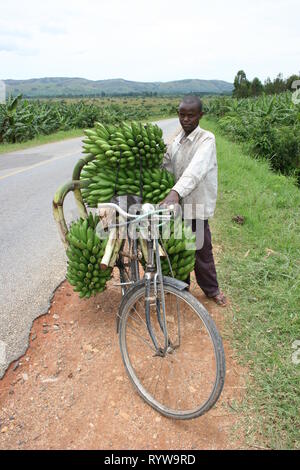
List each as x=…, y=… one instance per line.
x=264, y=287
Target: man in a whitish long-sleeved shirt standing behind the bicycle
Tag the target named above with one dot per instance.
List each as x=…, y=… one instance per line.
x=191, y=157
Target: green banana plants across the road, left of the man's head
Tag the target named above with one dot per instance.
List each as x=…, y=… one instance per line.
x=25, y=120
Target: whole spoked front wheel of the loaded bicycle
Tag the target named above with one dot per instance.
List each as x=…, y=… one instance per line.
x=188, y=380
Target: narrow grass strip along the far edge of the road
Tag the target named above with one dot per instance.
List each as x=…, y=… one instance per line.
x=57, y=136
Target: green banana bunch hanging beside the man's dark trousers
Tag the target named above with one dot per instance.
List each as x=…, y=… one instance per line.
x=181, y=258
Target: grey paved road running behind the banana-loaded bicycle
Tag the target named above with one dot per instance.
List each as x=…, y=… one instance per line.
x=32, y=257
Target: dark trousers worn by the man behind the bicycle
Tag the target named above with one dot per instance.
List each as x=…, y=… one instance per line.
x=205, y=270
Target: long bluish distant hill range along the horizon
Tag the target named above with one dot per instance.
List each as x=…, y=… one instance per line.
x=52, y=87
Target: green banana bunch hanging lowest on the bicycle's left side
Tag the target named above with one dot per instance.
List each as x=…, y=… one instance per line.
x=85, y=251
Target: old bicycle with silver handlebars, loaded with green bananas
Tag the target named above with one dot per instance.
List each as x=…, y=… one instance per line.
x=170, y=346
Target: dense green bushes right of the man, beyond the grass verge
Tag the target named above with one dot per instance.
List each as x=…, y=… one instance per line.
x=269, y=126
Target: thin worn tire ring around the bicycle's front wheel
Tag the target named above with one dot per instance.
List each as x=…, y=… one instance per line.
x=137, y=293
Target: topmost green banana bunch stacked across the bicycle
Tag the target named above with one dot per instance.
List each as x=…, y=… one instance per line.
x=125, y=145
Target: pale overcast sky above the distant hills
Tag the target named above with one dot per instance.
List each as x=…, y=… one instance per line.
x=153, y=40
